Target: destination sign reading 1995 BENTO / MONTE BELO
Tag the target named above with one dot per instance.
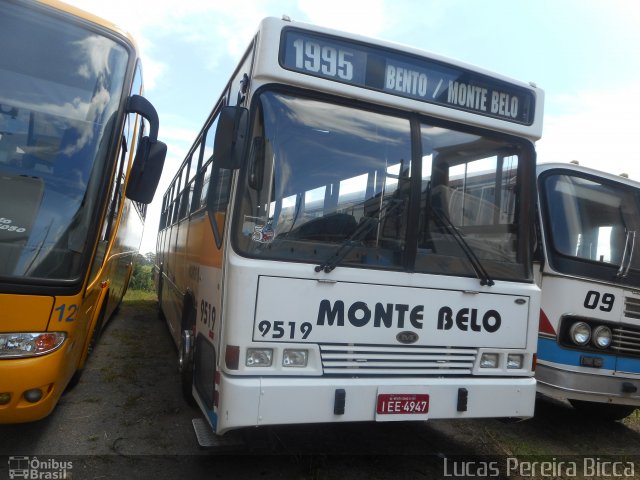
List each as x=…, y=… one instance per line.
x=405, y=75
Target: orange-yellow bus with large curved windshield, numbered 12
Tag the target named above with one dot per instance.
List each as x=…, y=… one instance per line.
x=79, y=162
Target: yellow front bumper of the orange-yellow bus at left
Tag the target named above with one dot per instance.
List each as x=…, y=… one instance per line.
x=32, y=386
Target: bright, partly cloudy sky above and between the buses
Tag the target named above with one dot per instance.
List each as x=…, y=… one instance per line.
x=583, y=53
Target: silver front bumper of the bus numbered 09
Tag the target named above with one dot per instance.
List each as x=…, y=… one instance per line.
x=605, y=387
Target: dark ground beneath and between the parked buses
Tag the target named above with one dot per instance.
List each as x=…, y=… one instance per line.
x=127, y=419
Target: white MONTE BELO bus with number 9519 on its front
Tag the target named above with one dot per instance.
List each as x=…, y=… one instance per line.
x=316, y=263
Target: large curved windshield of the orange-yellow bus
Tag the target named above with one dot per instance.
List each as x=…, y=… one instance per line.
x=60, y=86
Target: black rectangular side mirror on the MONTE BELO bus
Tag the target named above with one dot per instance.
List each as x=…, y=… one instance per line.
x=231, y=137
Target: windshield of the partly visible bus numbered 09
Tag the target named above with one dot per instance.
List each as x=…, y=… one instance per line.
x=592, y=220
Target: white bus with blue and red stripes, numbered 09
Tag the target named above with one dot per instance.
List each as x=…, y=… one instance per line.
x=589, y=273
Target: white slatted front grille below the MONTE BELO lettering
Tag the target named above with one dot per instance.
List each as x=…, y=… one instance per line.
x=363, y=360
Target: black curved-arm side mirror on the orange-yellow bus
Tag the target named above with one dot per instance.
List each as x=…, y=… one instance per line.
x=150, y=154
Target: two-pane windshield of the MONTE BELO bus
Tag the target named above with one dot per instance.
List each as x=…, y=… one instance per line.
x=332, y=184
